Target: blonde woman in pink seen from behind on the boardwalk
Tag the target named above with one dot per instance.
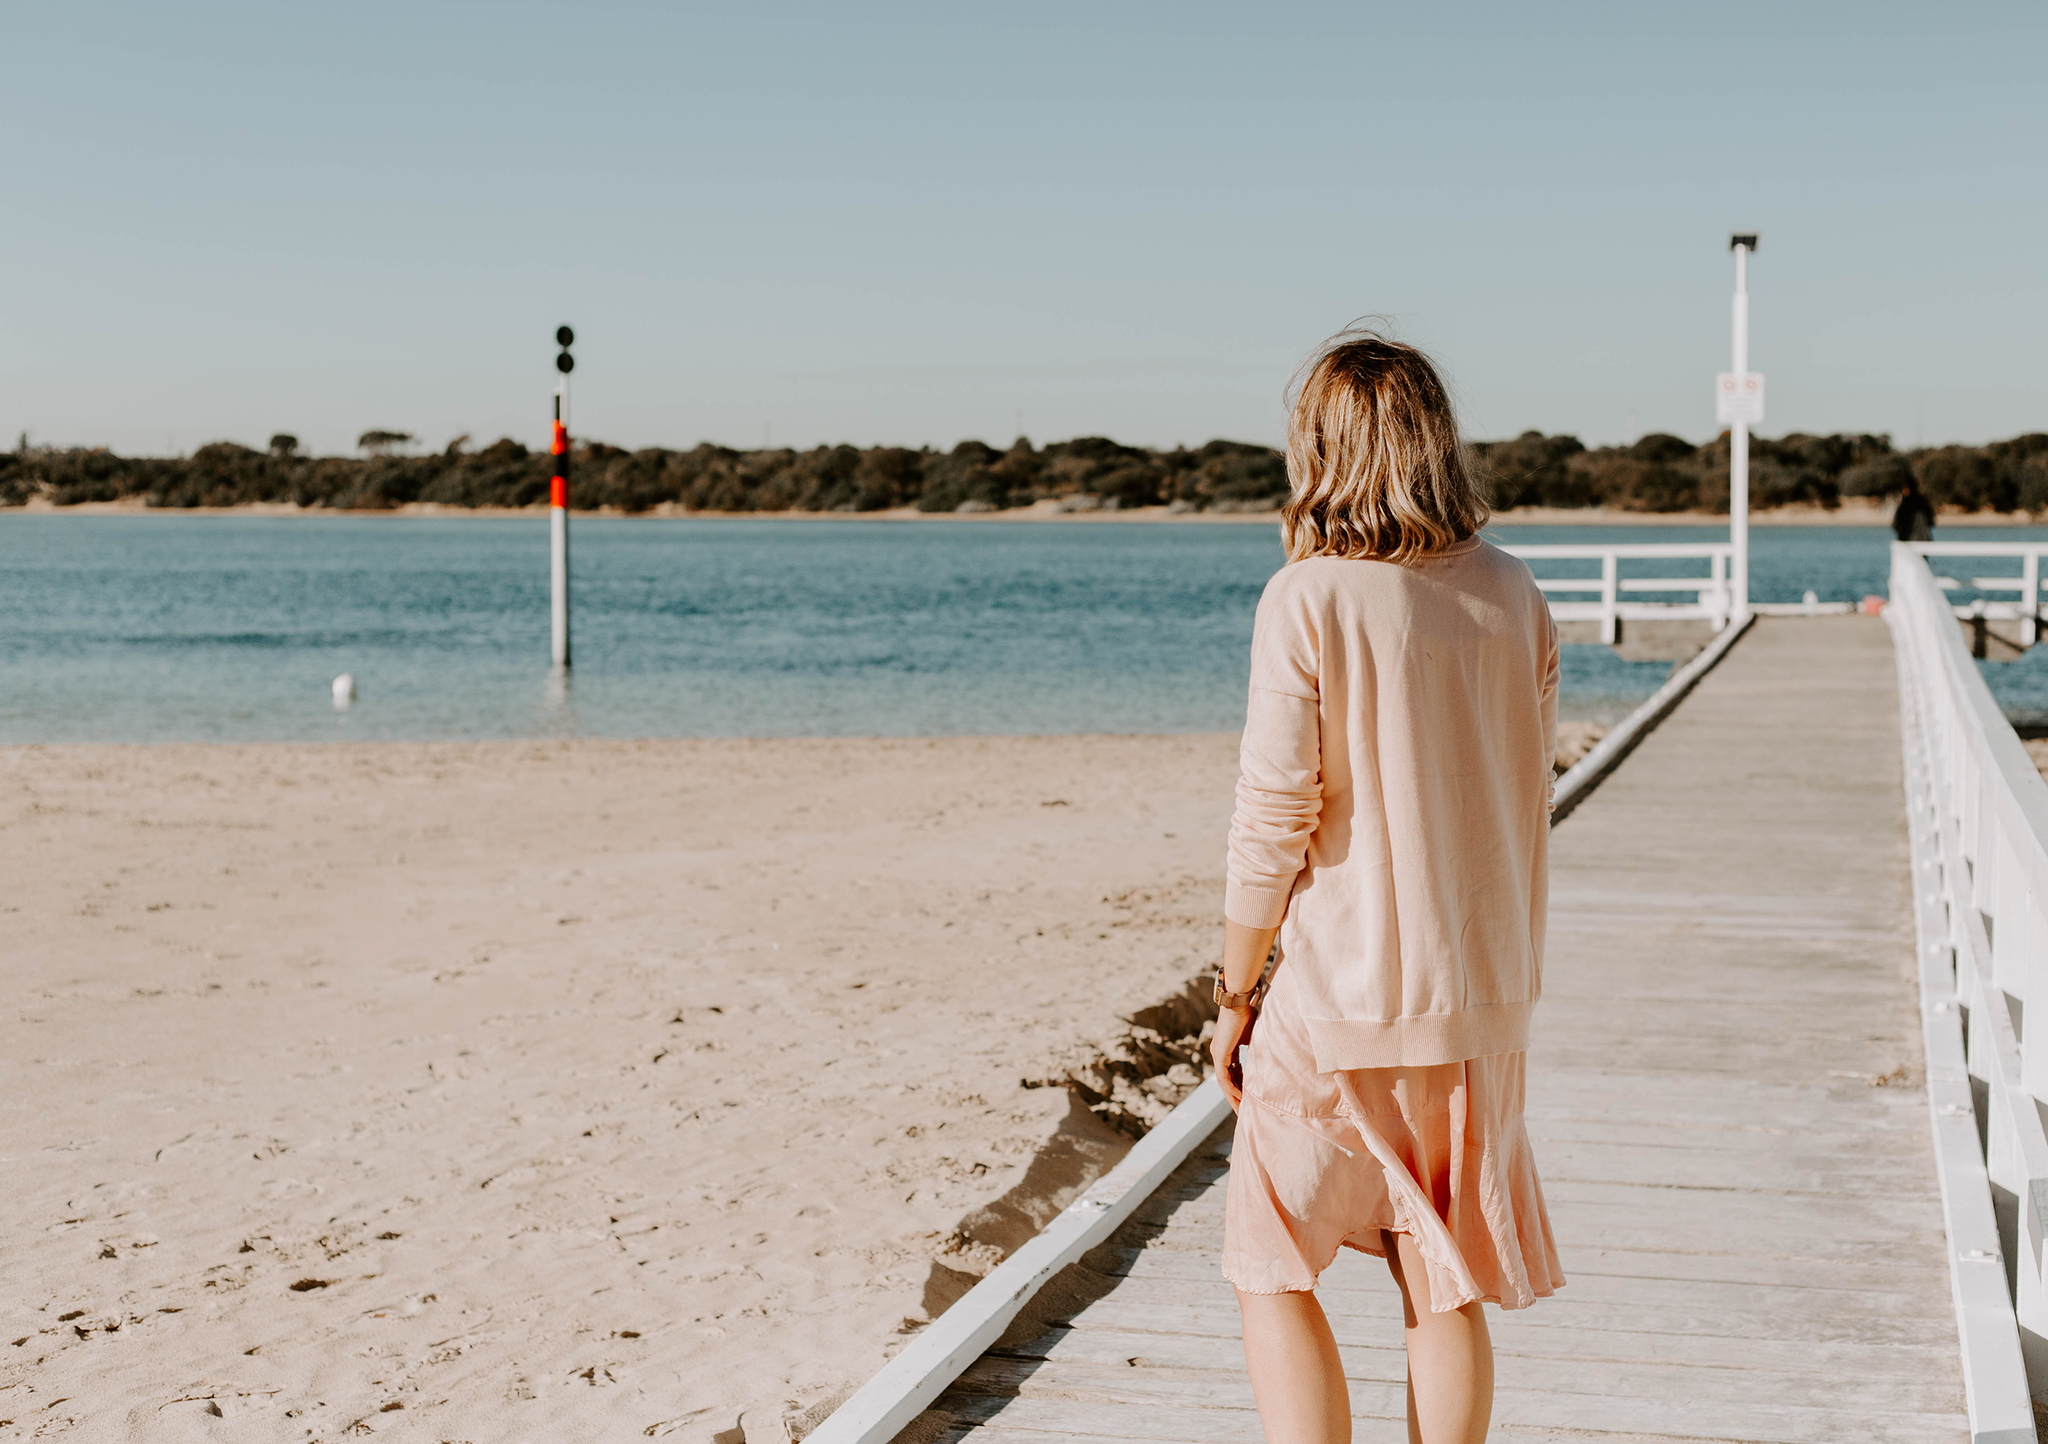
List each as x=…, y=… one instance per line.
x=1392, y=833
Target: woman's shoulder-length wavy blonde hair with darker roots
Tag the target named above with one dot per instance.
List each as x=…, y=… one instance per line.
x=1373, y=456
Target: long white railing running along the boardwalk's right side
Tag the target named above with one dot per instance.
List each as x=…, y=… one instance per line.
x=1977, y=818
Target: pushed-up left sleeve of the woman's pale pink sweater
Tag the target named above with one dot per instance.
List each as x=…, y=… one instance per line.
x=1281, y=765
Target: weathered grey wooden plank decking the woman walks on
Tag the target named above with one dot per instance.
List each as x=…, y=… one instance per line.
x=1727, y=1107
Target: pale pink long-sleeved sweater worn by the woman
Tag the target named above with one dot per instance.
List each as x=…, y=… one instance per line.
x=1394, y=802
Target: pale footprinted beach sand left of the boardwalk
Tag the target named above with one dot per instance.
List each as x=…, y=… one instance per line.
x=583, y=1091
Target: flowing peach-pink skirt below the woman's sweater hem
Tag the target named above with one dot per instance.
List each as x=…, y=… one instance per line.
x=1330, y=1160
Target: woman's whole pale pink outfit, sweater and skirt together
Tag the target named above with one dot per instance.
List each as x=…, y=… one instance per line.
x=1394, y=822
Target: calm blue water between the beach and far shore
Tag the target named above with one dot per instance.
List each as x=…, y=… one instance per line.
x=232, y=628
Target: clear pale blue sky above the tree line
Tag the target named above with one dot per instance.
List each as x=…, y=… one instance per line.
x=912, y=224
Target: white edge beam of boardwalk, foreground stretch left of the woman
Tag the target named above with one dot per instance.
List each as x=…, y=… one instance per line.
x=978, y=1320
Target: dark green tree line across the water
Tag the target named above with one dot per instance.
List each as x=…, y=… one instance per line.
x=1658, y=474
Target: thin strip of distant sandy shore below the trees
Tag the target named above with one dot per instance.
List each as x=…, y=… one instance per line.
x=1852, y=513
